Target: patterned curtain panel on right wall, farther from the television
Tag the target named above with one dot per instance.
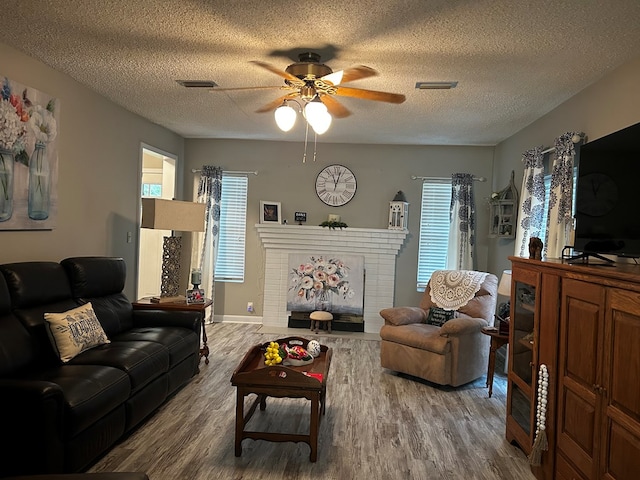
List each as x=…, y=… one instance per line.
x=531, y=211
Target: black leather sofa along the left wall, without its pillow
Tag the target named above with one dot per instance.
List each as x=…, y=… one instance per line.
x=60, y=417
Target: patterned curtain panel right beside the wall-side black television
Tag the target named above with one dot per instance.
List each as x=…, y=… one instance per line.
x=559, y=218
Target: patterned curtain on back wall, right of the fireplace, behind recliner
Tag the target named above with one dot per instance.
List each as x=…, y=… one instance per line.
x=462, y=228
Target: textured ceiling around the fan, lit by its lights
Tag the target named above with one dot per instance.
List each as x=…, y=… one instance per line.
x=514, y=60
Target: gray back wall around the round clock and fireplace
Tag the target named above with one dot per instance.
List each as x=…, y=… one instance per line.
x=381, y=170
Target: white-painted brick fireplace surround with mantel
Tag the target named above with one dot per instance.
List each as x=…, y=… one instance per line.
x=378, y=246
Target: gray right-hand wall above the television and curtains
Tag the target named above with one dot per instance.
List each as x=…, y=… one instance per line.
x=604, y=107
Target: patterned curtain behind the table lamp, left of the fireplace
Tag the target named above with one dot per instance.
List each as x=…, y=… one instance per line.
x=209, y=193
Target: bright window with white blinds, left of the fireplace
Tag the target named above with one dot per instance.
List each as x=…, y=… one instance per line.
x=233, y=216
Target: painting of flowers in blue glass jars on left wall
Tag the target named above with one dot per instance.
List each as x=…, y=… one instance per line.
x=28, y=158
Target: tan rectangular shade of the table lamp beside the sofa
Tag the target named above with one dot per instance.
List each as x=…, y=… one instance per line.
x=161, y=214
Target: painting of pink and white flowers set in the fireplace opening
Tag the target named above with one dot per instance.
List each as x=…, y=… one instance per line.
x=334, y=283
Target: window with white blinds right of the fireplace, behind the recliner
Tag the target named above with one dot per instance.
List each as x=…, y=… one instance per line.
x=434, y=229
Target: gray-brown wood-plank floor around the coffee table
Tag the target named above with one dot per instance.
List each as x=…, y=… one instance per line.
x=378, y=425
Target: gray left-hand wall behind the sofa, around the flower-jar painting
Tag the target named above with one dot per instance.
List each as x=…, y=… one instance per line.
x=99, y=164
